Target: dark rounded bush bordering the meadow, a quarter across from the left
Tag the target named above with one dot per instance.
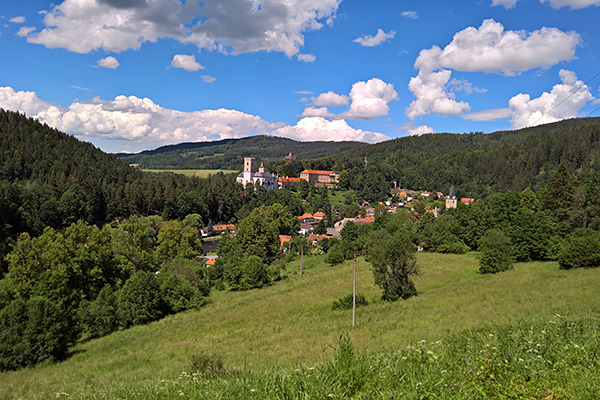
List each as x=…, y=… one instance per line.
x=140, y=300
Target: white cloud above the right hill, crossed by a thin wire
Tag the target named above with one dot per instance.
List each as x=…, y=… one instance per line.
x=564, y=101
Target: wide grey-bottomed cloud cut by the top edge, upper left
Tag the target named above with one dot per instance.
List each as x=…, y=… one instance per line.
x=237, y=26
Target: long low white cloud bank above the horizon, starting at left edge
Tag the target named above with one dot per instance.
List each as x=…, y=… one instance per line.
x=139, y=123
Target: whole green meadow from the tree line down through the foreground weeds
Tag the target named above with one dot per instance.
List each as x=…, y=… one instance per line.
x=278, y=335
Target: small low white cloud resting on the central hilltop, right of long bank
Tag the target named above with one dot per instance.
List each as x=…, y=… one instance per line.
x=317, y=128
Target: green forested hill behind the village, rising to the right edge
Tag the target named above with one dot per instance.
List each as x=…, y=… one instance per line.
x=477, y=164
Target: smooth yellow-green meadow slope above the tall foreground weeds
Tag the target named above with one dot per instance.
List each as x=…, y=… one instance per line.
x=291, y=322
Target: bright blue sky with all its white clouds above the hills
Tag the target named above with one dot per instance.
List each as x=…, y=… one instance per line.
x=131, y=75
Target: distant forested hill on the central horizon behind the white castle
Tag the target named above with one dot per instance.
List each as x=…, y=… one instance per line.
x=229, y=153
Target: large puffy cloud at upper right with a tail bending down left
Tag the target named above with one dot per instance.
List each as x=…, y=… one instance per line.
x=489, y=48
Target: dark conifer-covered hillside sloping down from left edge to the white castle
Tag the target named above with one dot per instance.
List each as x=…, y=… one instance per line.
x=51, y=179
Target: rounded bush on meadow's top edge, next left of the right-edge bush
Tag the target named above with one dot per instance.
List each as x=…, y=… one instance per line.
x=496, y=252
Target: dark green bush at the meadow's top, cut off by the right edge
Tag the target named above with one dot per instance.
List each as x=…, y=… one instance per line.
x=580, y=250
